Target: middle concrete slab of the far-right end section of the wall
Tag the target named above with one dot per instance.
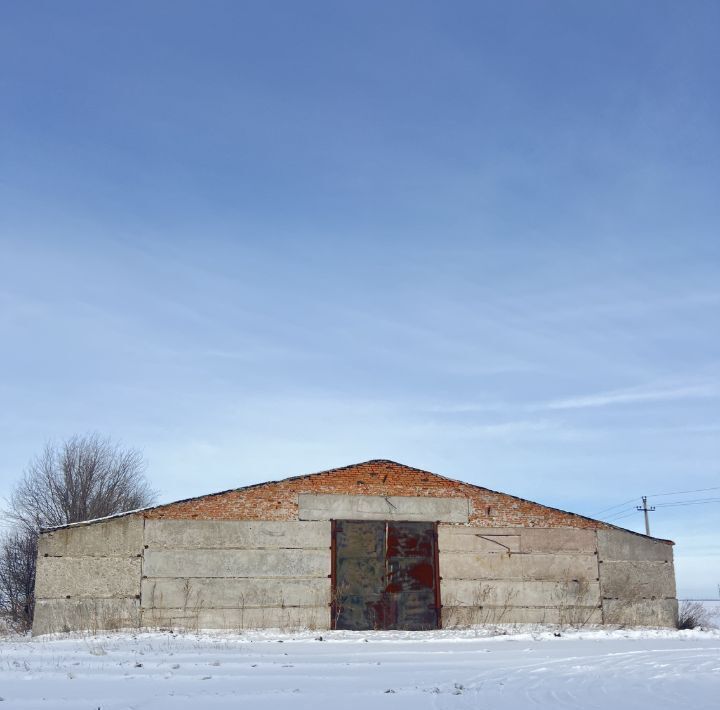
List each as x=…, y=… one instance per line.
x=637, y=579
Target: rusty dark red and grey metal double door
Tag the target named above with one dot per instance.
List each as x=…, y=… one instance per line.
x=385, y=575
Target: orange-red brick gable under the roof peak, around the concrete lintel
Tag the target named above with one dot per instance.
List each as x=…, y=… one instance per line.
x=278, y=500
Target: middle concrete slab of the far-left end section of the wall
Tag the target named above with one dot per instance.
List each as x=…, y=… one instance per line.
x=87, y=577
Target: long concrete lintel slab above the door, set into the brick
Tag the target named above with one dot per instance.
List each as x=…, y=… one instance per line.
x=331, y=507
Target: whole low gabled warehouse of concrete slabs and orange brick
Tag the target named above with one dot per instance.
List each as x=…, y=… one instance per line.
x=375, y=545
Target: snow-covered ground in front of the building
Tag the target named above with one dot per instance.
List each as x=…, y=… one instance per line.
x=528, y=668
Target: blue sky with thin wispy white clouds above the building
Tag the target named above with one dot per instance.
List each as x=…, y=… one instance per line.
x=255, y=240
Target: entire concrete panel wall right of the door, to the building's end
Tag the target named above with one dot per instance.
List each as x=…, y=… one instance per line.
x=563, y=576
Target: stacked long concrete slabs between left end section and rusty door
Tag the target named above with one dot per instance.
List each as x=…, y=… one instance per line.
x=236, y=574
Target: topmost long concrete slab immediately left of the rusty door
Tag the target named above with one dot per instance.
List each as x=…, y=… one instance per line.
x=231, y=534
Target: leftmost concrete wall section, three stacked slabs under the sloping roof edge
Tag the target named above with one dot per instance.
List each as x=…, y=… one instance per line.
x=88, y=577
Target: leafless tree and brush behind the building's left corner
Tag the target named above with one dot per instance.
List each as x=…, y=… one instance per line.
x=83, y=478
